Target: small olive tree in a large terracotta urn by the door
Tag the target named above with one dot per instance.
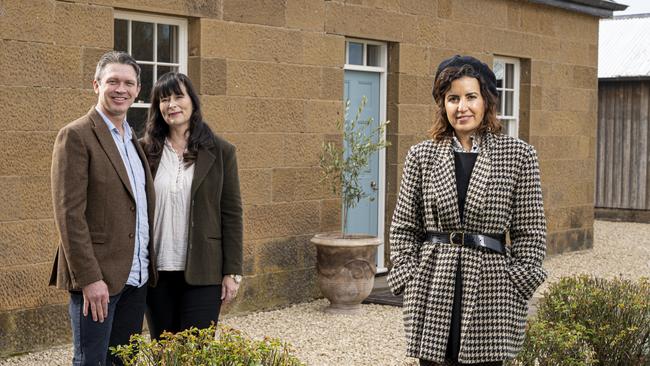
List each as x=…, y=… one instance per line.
x=345, y=261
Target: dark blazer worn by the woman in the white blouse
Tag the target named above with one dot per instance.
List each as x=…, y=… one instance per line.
x=215, y=242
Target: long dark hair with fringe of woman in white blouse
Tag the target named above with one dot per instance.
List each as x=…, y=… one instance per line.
x=156, y=129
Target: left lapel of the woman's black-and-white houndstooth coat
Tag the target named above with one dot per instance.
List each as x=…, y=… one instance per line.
x=444, y=185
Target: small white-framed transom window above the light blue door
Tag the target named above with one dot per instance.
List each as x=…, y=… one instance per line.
x=364, y=55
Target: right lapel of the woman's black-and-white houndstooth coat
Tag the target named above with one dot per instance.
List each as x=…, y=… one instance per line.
x=478, y=187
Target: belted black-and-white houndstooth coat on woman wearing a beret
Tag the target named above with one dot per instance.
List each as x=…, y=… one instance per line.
x=504, y=195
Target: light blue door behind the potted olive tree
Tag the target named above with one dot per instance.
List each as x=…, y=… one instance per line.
x=363, y=219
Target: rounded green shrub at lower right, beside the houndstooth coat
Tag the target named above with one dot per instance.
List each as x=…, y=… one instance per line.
x=581, y=317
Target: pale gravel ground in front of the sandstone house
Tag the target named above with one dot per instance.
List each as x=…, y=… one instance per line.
x=375, y=336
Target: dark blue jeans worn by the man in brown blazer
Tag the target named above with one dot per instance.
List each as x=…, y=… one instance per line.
x=92, y=339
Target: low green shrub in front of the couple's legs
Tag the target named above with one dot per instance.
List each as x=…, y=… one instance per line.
x=200, y=347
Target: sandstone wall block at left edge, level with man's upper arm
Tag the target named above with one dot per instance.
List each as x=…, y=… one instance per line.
x=26, y=153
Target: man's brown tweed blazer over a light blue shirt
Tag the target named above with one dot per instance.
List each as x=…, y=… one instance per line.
x=94, y=208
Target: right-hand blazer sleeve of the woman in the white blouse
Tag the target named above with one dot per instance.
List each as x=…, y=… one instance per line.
x=231, y=215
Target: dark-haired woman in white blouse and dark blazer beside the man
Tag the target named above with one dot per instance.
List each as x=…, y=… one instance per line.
x=198, y=217
